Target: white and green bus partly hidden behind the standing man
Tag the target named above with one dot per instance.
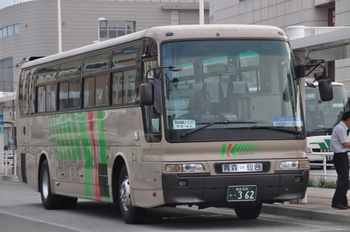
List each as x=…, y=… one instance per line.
x=321, y=117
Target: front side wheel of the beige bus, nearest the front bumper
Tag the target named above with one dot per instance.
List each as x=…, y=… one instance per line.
x=130, y=214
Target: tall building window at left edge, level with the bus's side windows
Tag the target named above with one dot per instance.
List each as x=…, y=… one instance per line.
x=6, y=75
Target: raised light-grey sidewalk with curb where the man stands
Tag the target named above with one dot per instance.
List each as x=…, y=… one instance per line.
x=315, y=206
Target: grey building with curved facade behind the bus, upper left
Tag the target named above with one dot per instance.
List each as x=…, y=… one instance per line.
x=32, y=28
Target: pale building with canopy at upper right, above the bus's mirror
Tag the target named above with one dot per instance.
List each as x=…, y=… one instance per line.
x=316, y=44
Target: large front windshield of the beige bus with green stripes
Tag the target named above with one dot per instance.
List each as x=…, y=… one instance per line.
x=235, y=90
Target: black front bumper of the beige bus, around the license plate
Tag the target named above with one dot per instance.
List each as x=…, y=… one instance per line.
x=212, y=191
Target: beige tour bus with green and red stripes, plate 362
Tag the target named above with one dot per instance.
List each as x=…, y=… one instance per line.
x=203, y=115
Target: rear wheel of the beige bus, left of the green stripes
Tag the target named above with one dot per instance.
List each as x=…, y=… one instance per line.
x=49, y=200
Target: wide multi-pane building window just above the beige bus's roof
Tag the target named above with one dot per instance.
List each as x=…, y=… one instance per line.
x=113, y=29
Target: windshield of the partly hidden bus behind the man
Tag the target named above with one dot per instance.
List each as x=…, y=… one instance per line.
x=322, y=116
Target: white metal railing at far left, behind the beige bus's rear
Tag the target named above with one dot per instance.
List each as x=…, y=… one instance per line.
x=8, y=162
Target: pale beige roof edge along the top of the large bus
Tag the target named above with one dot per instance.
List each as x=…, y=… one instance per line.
x=163, y=33
